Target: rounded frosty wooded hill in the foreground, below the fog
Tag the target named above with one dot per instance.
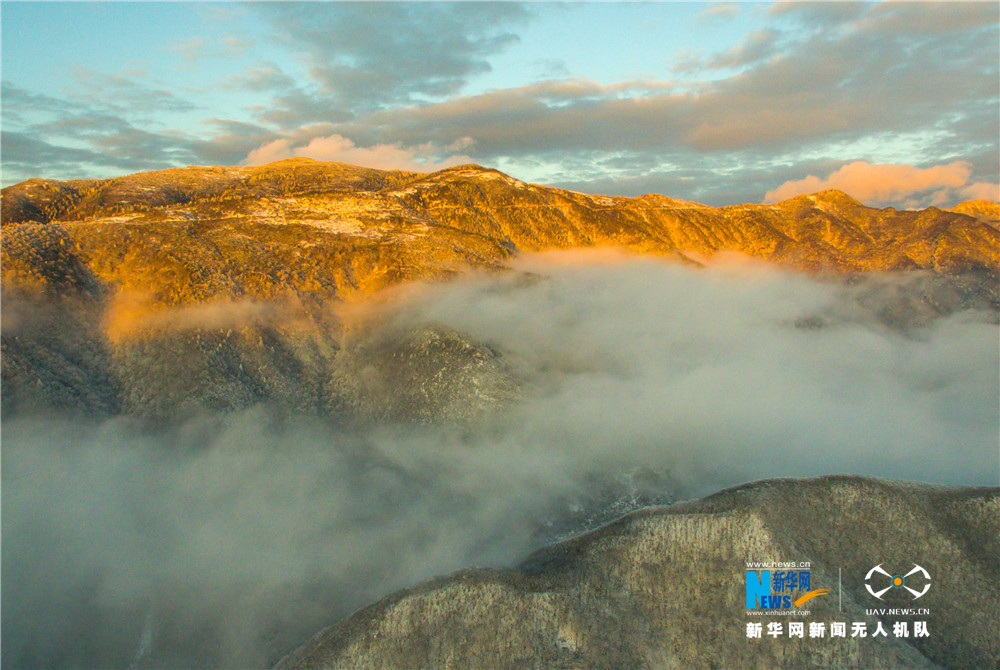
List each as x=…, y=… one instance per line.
x=664, y=588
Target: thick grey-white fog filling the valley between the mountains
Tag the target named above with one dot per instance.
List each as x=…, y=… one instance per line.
x=229, y=539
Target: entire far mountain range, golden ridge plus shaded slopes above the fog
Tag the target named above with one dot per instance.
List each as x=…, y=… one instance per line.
x=225, y=276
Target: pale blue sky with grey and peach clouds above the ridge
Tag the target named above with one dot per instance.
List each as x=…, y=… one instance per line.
x=720, y=103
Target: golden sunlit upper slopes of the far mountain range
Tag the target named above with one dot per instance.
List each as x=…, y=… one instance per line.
x=305, y=228
